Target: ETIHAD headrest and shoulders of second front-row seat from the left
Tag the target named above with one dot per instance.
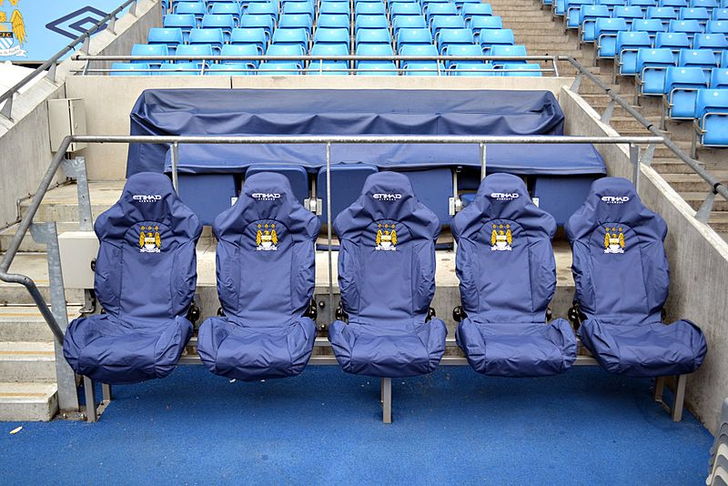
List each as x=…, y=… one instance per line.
x=267, y=195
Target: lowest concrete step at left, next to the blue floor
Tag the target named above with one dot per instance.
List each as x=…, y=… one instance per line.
x=20, y=402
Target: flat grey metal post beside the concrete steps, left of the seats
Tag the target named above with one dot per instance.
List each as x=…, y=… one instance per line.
x=67, y=396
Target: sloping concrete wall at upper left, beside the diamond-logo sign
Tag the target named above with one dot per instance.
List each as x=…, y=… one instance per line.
x=25, y=142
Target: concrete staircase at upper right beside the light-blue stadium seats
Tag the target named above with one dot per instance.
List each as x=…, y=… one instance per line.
x=543, y=34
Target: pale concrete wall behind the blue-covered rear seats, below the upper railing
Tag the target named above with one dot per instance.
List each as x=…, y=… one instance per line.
x=108, y=162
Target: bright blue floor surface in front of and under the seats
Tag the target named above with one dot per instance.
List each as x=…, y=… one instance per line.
x=584, y=427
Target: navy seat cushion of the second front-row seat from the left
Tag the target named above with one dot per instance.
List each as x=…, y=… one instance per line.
x=230, y=348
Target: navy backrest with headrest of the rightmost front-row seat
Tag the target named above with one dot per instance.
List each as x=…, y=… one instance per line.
x=619, y=262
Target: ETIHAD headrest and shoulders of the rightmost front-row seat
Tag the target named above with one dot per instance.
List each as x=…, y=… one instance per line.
x=614, y=200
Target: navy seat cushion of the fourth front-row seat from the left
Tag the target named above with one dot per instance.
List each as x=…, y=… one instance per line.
x=518, y=349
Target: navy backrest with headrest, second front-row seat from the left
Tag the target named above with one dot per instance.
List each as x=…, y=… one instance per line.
x=265, y=252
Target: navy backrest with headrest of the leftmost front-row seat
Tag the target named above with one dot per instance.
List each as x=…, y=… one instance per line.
x=146, y=267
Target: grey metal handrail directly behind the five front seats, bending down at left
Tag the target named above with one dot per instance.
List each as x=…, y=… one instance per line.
x=174, y=141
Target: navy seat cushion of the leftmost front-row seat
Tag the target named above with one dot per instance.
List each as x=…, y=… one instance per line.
x=109, y=350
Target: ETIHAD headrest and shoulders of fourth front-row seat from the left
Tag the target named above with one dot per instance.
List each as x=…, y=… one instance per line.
x=503, y=196
